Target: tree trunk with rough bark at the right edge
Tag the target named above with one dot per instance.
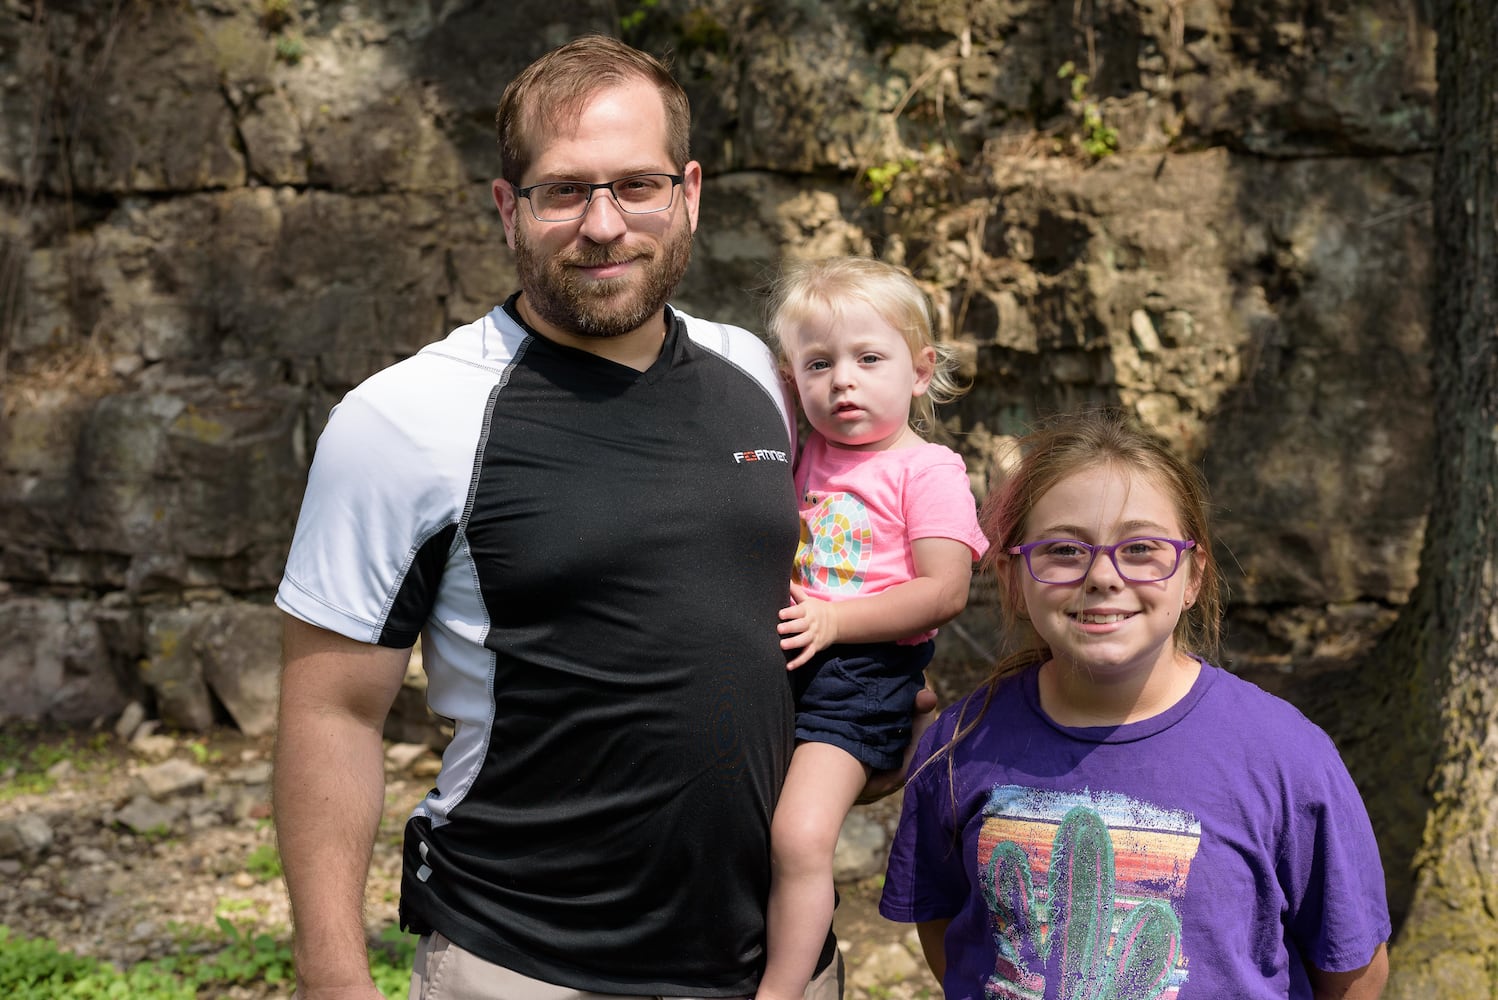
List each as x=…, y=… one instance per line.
x=1449, y=944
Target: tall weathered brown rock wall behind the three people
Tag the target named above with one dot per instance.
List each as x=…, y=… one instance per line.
x=216, y=216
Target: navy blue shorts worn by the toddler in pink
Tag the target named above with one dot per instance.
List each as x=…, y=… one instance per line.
x=861, y=698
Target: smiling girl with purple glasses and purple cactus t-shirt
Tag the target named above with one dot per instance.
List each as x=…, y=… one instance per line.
x=1111, y=815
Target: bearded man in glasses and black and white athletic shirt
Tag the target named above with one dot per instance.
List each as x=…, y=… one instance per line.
x=583, y=505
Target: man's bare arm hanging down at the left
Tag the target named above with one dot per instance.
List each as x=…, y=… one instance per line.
x=329, y=797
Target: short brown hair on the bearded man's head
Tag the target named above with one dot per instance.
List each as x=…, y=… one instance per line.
x=554, y=91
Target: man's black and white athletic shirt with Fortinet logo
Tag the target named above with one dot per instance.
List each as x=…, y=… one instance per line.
x=595, y=559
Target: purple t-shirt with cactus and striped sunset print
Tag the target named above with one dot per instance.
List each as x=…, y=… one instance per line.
x=1208, y=853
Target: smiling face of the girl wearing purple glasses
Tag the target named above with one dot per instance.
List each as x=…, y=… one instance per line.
x=1105, y=625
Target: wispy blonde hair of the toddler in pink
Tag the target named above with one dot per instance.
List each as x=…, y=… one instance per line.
x=817, y=290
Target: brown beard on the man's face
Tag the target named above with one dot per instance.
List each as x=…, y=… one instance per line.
x=612, y=308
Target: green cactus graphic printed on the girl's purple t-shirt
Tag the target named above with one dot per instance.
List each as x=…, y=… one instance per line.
x=1069, y=947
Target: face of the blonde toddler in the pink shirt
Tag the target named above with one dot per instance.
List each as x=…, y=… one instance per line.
x=856, y=378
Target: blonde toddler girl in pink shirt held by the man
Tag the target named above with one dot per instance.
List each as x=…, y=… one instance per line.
x=889, y=537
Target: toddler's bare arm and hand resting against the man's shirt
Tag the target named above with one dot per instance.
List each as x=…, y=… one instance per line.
x=936, y=597
